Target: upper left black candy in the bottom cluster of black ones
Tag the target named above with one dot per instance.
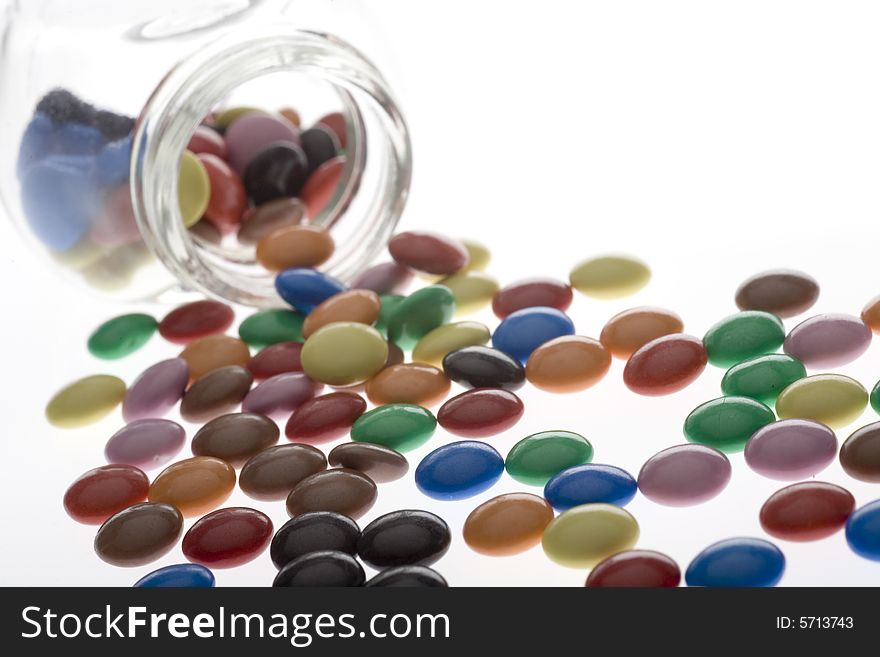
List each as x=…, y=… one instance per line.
x=319, y=531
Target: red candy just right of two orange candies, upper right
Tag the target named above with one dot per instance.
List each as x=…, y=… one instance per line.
x=665, y=365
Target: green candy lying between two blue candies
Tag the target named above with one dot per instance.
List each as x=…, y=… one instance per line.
x=536, y=458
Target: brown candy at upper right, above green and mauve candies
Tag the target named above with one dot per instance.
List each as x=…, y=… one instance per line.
x=783, y=292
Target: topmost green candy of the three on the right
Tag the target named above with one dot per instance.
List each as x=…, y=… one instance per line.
x=743, y=335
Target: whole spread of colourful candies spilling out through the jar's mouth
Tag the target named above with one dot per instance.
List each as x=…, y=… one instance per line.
x=358, y=375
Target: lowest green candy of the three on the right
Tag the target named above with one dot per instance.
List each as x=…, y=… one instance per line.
x=727, y=423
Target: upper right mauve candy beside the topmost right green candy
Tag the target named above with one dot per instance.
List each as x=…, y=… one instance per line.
x=826, y=341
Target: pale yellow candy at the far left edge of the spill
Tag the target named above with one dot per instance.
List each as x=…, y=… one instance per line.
x=85, y=401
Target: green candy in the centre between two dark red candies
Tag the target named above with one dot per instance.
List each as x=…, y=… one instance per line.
x=399, y=426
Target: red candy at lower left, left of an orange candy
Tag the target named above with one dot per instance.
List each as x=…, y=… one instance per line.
x=101, y=492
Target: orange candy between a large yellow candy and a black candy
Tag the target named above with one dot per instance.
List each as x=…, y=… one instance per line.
x=410, y=383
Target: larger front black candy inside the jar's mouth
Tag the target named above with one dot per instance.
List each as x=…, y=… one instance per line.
x=277, y=171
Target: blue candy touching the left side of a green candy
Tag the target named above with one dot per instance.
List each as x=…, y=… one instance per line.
x=459, y=470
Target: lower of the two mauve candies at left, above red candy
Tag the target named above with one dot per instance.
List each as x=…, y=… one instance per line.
x=145, y=444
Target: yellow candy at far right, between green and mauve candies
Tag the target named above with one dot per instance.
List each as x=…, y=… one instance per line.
x=831, y=399
